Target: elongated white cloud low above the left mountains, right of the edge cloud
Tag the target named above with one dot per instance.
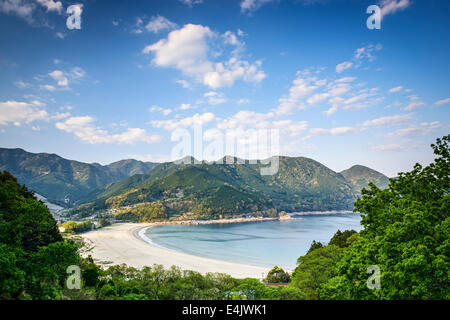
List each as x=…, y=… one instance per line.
x=84, y=129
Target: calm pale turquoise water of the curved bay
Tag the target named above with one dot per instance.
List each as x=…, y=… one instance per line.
x=265, y=243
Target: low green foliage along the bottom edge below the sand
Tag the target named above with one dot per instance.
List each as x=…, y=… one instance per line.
x=156, y=283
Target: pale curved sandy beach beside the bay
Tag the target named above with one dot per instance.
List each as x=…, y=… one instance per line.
x=119, y=244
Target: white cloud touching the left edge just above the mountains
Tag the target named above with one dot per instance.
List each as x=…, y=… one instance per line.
x=17, y=112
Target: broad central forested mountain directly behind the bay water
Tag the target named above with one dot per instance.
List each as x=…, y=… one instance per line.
x=206, y=189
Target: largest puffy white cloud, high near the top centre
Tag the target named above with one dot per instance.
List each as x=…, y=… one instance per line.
x=187, y=50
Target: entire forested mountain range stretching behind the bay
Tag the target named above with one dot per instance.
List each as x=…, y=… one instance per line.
x=205, y=188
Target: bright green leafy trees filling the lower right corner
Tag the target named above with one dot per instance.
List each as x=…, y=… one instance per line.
x=406, y=235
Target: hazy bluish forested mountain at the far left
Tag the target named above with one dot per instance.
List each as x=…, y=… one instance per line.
x=58, y=179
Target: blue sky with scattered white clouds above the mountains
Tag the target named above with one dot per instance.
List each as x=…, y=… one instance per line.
x=136, y=71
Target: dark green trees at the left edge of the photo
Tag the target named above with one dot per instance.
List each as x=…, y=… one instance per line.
x=33, y=255
